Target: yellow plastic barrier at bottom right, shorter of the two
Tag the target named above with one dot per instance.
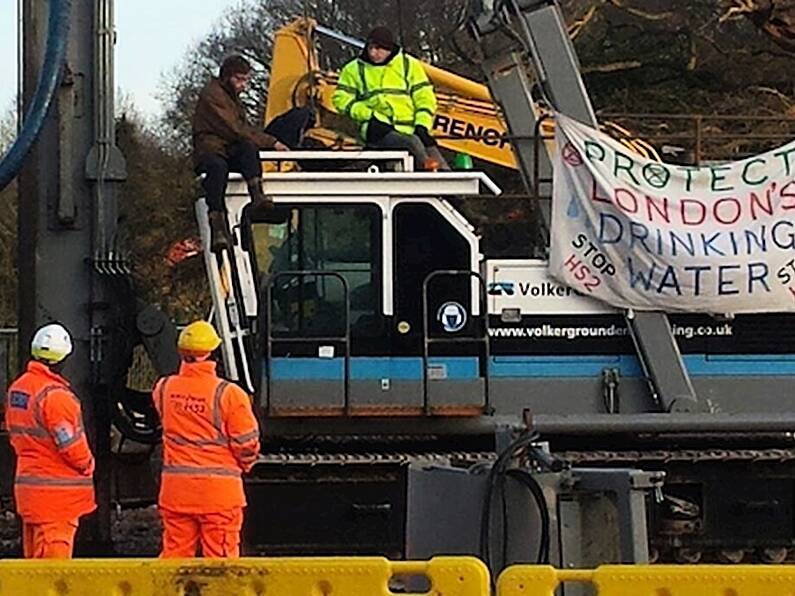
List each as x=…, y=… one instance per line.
x=654, y=580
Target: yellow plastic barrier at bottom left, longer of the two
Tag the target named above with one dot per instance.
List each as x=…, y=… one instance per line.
x=346, y=576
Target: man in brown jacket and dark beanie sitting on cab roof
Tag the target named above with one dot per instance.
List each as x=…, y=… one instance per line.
x=223, y=142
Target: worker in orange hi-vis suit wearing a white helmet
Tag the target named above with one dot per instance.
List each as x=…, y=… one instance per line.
x=53, y=487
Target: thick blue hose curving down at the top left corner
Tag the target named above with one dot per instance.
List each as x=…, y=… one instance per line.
x=57, y=36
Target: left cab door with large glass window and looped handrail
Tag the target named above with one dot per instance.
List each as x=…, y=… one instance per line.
x=319, y=303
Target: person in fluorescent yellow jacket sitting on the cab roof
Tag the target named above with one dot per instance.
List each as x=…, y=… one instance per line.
x=387, y=93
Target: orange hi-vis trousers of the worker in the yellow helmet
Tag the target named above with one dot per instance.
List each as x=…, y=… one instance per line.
x=218, y=533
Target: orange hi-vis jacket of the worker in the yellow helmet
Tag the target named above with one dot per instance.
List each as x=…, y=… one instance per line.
x=210, y=436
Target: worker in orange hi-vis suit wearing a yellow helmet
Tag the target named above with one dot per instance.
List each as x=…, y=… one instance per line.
x=210, y=438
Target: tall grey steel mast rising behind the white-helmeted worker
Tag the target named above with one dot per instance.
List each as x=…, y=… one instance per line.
x=68, y=257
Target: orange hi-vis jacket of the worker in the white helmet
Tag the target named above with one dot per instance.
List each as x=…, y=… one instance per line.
x=54, y=463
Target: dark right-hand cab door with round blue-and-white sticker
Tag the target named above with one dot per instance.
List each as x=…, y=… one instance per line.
x=438, y=307
